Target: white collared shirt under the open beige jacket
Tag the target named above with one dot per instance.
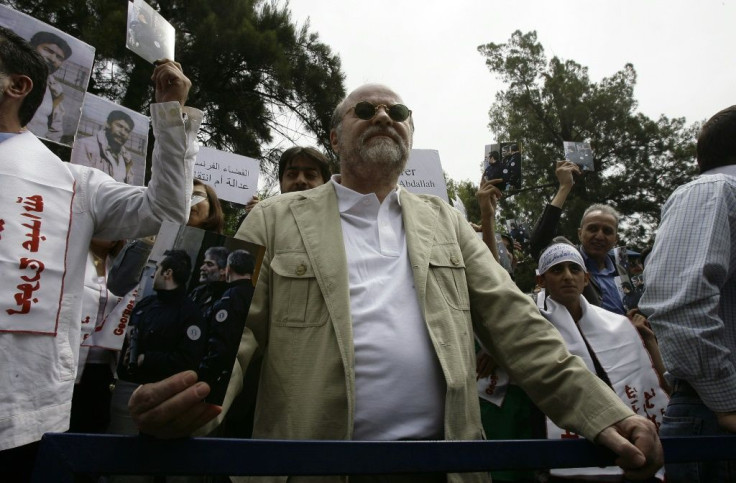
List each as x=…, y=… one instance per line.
x=399, y=387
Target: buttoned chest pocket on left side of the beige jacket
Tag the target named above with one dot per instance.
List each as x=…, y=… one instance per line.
x=296, y=297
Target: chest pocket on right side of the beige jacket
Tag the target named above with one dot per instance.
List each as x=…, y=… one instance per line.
x=447, y=269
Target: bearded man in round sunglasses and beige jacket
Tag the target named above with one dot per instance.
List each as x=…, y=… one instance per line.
x=366, y=307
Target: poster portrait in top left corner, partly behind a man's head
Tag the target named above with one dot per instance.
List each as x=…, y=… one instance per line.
x=70, y=64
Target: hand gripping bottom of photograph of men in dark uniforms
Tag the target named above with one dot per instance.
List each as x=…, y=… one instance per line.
x=172, y=408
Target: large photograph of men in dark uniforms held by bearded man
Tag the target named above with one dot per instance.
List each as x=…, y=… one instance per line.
x=196, y=292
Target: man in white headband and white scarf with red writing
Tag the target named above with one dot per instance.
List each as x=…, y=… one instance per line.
x=608, y=343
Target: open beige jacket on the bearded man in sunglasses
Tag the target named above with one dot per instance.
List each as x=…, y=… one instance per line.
x=300, y=319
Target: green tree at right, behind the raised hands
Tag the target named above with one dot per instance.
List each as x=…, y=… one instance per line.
x=638, y=160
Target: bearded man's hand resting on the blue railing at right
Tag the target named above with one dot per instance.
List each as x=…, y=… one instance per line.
x=637, y=445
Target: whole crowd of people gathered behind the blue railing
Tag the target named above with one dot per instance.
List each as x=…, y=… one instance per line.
x=376, y=313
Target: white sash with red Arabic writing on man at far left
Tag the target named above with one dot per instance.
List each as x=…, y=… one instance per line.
x=34, y=225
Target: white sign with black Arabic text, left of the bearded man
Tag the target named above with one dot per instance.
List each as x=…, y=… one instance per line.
x=234, y=177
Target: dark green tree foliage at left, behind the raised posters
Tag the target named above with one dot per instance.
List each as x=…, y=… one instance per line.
x=257, y=76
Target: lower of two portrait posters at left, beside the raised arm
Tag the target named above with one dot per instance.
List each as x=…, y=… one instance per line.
x=113, y=139
